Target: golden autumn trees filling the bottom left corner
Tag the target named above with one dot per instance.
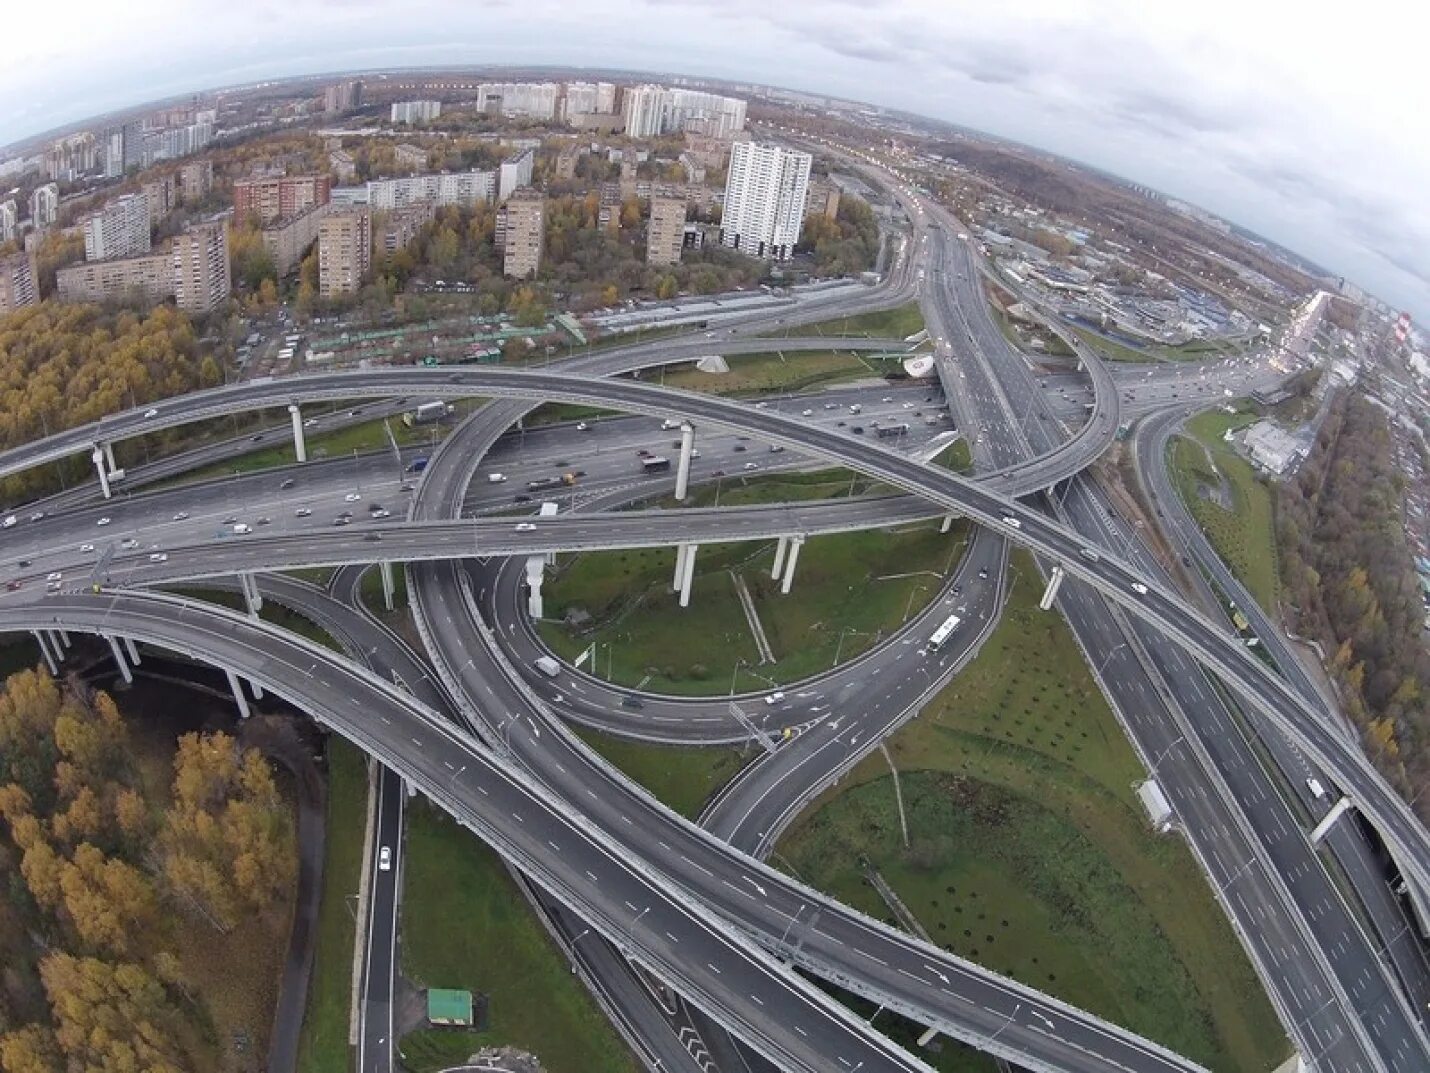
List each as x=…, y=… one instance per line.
x=124, y=901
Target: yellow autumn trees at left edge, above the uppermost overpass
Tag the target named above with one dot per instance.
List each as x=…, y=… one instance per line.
x=65, y=366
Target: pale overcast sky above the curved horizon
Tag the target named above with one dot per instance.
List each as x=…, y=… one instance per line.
x=1305, y=125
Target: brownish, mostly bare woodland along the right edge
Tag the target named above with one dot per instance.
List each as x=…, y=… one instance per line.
x=1352, y=584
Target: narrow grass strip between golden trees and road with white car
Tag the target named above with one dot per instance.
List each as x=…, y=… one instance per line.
x=324, y=1045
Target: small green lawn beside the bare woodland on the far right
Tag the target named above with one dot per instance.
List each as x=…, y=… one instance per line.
x=1246, y=536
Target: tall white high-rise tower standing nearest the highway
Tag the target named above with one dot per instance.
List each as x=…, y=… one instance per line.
x=764, y=200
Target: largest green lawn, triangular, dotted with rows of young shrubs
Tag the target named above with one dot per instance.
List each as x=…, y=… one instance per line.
x=1032, y=855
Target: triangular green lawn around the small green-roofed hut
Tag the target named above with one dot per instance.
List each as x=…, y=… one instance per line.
x=465, y=925
